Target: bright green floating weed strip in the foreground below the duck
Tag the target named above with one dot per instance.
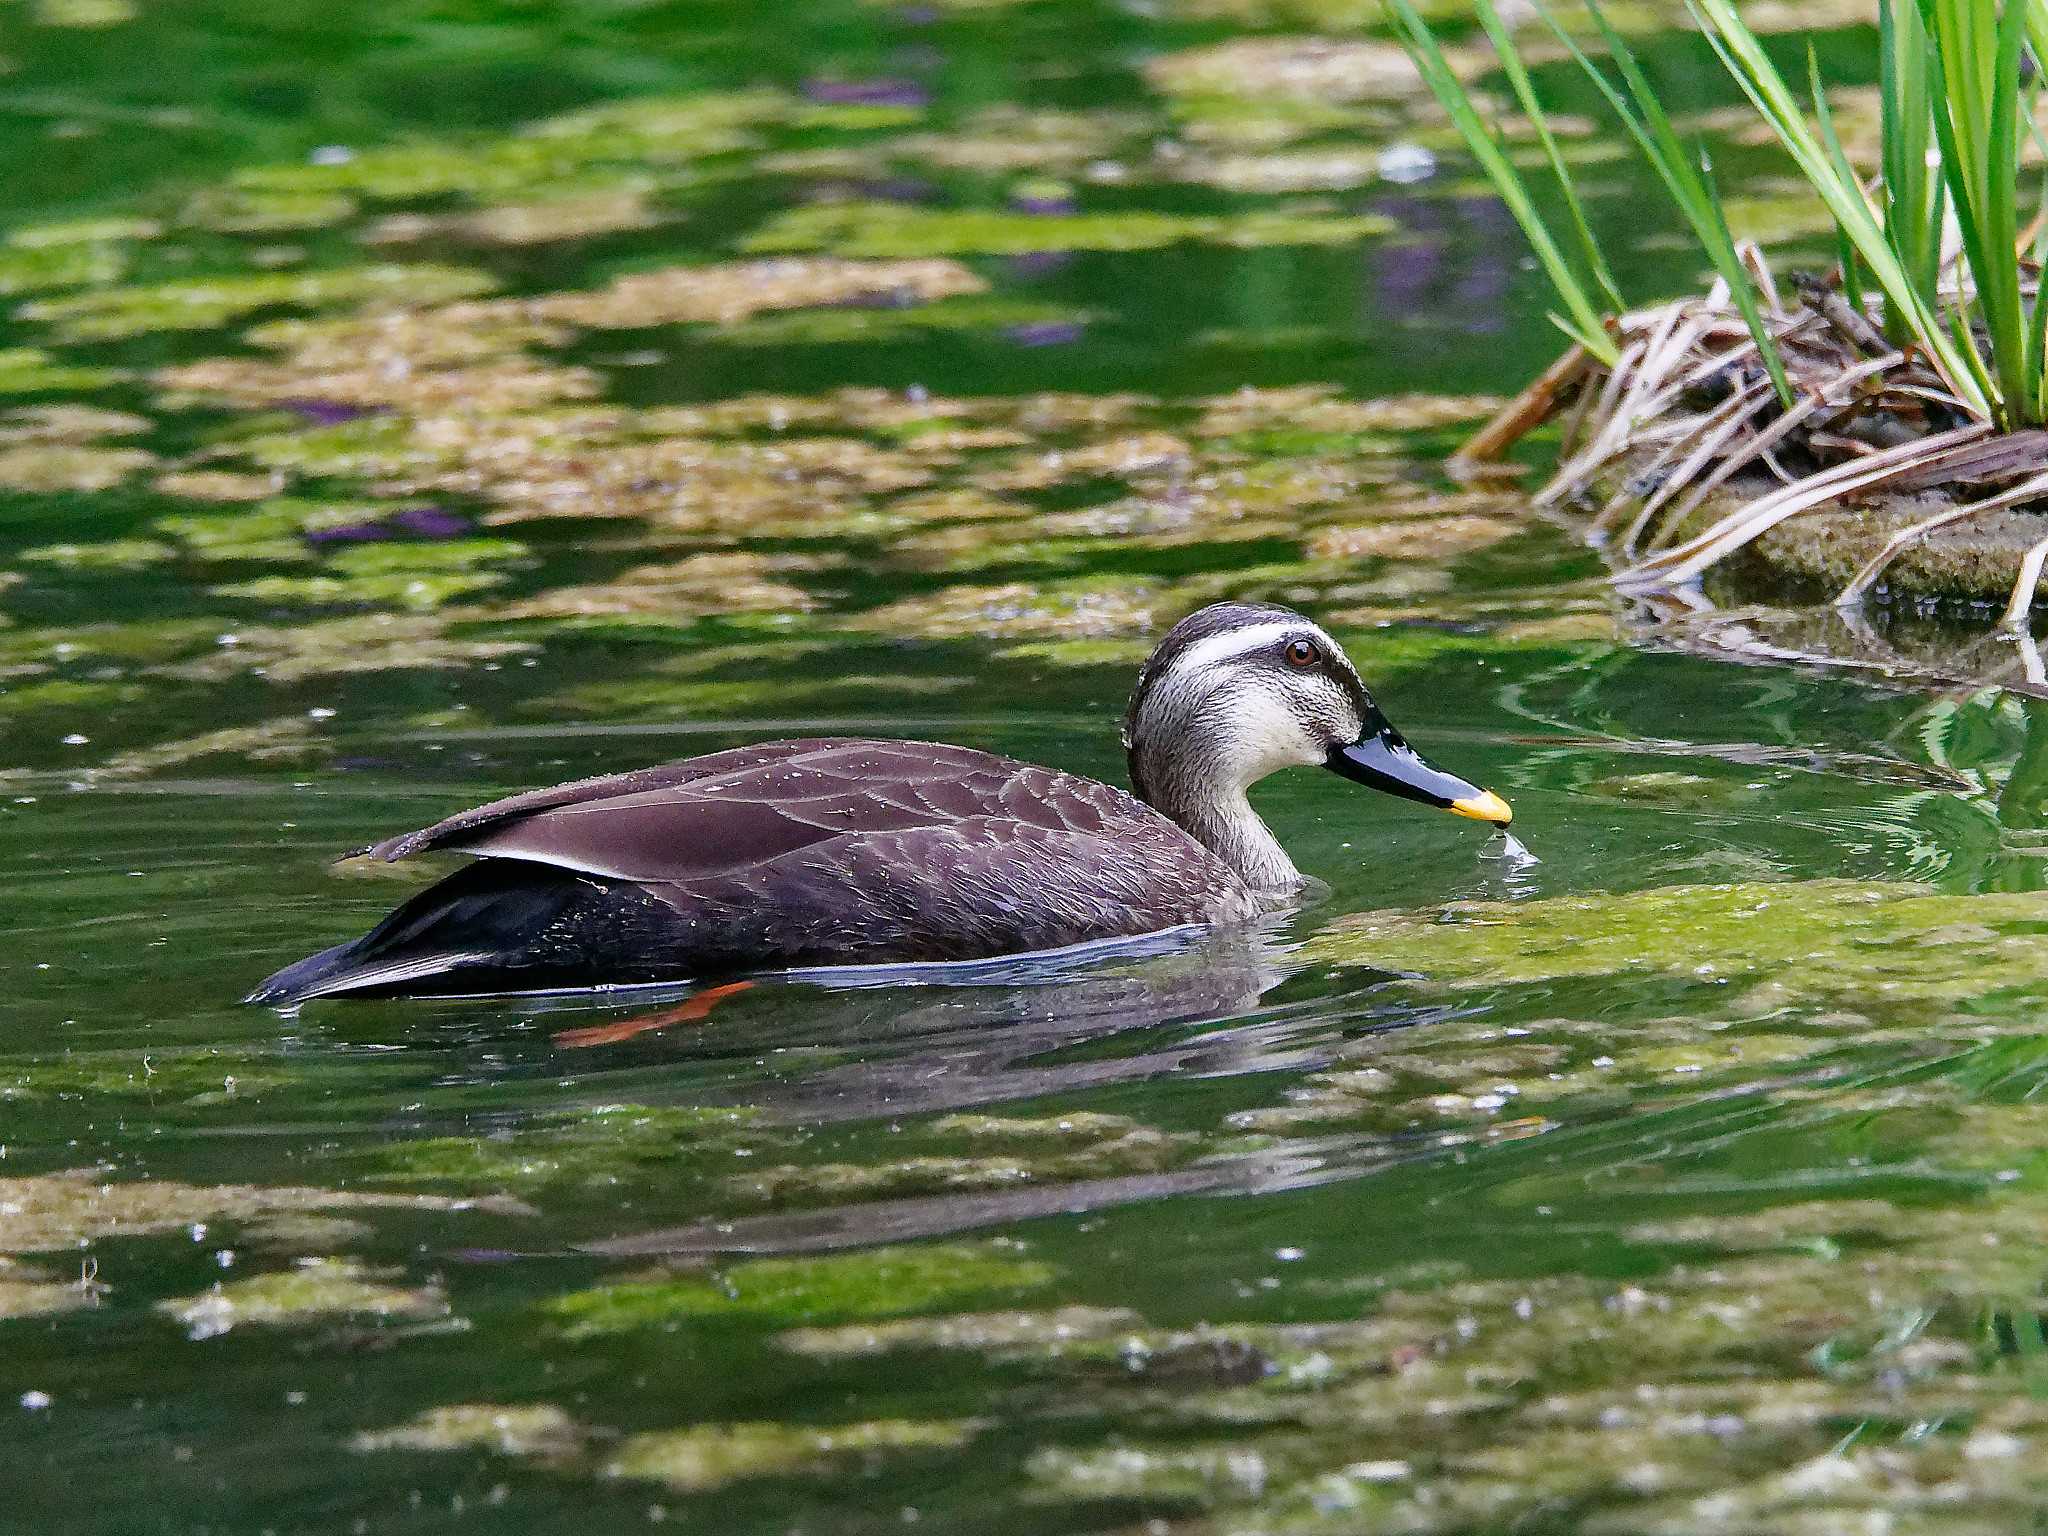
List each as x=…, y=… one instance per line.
x=837, y=1289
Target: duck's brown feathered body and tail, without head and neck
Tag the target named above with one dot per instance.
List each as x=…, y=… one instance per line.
x=781, y=855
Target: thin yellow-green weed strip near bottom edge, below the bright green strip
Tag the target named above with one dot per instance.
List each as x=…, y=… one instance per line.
x=718, y=1455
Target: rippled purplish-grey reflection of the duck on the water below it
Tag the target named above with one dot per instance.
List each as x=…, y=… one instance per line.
x=935, y=1039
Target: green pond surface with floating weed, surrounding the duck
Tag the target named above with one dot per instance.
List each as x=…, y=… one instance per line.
x=409, y=404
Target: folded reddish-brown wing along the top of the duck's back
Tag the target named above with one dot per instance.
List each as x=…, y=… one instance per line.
x=740, y=810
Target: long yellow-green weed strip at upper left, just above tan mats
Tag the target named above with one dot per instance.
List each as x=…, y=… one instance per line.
x=208, y=304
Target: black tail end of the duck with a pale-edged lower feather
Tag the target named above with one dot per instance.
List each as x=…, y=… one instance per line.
x=478, y=931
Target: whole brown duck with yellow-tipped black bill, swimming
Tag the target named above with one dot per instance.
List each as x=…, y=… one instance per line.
x=824, y=853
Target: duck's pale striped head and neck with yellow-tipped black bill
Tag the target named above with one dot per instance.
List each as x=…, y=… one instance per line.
x=1244, y=689
